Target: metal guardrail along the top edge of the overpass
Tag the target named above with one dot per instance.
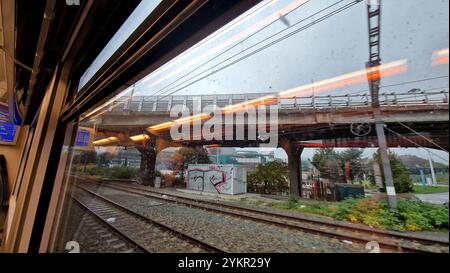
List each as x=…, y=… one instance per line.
x=164, y=104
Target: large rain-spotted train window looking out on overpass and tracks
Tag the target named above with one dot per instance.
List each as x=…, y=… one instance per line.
x=285, y=125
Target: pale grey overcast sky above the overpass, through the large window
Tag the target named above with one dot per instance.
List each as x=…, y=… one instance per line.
x=411, y=29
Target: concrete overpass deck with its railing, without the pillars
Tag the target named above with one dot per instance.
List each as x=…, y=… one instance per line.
x=300, y=119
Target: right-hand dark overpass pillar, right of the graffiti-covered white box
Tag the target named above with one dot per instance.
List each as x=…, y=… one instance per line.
x=294, y=164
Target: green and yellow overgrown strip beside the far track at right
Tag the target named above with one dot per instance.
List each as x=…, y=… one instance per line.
x=412, y=215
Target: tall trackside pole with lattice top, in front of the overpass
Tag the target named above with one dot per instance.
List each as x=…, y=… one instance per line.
x=374, y=77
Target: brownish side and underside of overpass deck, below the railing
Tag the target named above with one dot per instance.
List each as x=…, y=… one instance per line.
x=330, y=125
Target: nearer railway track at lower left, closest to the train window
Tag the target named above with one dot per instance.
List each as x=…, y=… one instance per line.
x=145, y=233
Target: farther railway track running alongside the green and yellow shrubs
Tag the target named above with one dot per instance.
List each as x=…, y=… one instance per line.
x=387, y=240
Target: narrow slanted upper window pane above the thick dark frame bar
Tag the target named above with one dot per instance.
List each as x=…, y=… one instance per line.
x=142, y=11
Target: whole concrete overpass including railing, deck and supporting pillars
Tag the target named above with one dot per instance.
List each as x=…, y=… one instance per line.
x=413, y=119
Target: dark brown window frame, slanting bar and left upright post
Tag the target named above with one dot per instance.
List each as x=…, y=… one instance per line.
x=135, y=50
